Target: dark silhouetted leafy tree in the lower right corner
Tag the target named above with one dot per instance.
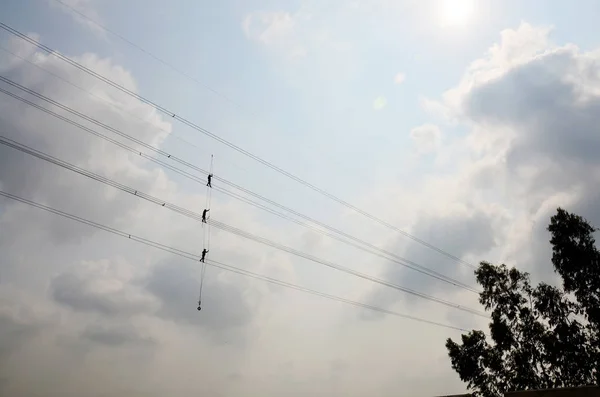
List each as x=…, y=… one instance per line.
x=541, y=337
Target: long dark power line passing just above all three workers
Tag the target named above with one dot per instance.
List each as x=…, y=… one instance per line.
x=229, y=144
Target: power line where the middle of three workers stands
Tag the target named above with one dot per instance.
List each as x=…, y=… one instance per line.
x=43, y=156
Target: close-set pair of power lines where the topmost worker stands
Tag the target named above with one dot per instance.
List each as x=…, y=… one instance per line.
x=395, y=258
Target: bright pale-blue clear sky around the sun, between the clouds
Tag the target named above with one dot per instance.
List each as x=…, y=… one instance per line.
x=314, y=115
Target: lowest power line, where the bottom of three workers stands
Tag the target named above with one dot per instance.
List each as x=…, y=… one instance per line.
x=194, y=257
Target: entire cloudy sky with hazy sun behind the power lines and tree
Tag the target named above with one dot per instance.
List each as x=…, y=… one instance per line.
x=463, y=123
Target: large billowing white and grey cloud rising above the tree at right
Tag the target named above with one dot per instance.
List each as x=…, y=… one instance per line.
x=530, y=108
